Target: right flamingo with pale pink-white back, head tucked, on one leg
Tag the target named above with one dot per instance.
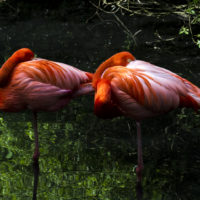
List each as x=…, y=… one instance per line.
x=138, y=89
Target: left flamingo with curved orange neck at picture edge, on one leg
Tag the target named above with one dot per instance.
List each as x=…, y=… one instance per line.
x=39, y=85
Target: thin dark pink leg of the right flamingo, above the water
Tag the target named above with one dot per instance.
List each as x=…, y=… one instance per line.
x=139, y=151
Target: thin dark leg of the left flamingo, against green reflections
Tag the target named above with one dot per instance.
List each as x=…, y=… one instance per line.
x=35, y=128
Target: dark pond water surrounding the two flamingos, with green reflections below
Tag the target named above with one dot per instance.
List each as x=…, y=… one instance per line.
x=83, y=157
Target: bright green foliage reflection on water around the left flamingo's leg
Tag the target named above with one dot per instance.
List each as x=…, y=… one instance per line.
x=65, y=163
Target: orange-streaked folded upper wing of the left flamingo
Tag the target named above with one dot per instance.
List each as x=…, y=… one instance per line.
x=55, y=73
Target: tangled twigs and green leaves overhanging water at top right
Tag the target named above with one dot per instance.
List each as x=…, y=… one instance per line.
x=189, y=13
